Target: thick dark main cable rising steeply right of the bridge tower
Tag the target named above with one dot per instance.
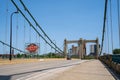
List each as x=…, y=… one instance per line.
x=104, y=20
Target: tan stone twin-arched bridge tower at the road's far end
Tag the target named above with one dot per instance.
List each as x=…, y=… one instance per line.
x=81, y=46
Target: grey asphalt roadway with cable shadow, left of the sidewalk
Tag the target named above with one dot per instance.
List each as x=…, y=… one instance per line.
x=33, y=71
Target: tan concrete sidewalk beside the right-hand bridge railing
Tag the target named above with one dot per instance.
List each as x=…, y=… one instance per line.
x=90, y=70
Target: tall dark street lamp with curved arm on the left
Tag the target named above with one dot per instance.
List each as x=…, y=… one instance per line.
x=10, y=58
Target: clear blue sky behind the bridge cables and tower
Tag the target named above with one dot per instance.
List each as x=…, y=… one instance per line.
x=60, y=19
